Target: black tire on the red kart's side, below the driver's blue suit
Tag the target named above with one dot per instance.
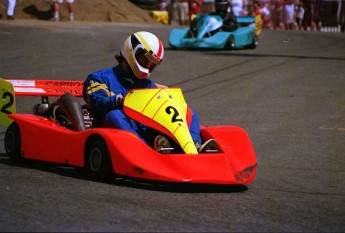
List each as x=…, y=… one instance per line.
x=97, y=160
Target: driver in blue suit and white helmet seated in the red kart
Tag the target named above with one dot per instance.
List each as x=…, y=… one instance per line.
x=104, y=90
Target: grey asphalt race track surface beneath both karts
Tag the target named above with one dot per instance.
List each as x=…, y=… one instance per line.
x=288, y=94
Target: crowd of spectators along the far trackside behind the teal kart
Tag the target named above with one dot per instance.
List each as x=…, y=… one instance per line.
x=304, y=15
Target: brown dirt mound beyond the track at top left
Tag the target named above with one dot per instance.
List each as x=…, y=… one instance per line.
x=121, y=11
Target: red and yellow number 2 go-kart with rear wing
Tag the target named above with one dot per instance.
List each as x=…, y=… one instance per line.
x=64, y=131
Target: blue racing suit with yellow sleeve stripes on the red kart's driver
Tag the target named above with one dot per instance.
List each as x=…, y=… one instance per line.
x=101, y=90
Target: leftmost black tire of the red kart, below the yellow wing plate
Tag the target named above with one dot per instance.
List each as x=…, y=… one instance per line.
x=13, y=142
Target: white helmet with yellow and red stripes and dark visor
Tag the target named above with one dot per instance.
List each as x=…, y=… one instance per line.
x=143, y=51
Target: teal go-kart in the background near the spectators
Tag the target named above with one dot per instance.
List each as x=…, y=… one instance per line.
x=211, y=36
